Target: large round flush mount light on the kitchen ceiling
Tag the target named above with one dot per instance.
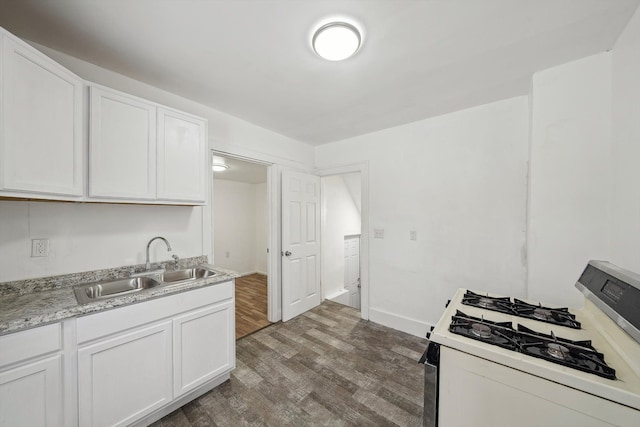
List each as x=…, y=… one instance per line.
x=336, y=41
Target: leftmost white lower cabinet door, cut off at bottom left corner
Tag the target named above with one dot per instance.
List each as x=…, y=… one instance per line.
x=31, y=394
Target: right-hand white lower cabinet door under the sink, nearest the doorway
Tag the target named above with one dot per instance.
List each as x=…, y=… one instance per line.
x=204, y=346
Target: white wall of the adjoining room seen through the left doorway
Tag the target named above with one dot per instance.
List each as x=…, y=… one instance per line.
x=239, y=217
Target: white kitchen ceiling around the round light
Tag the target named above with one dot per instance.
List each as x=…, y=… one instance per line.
x=252, y=59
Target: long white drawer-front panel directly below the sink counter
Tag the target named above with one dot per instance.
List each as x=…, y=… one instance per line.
x=114, y=321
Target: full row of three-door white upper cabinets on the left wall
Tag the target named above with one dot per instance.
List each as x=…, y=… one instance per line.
x=137, y=151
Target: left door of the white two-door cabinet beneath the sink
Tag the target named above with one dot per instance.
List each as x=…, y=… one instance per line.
x=123, y=378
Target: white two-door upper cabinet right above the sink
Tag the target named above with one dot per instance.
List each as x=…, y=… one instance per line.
x=142, y=152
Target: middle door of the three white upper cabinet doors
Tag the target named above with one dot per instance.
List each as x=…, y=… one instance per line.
x=122, y=146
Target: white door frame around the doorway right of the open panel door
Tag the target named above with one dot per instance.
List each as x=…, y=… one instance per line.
x=363, y=169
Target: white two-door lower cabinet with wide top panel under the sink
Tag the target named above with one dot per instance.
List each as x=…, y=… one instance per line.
x=137, y=362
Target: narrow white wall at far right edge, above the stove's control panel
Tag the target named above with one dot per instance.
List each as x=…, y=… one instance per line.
x=625, y=200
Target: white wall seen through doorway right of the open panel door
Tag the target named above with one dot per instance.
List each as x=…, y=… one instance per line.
x=340, y=218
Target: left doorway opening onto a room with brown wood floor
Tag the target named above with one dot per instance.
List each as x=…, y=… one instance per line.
x=241, y=235
